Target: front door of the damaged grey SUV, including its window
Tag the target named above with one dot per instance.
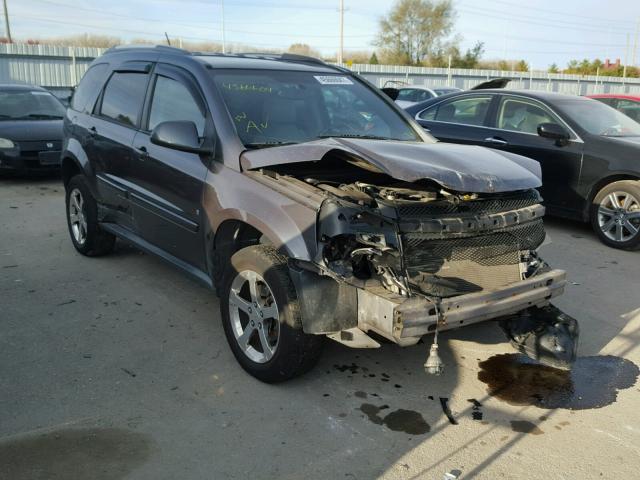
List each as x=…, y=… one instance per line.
x=167, y=184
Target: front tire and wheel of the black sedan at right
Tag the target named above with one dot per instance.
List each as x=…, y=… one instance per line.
x=615, y=214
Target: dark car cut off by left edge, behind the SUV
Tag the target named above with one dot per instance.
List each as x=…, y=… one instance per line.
x=30, y=129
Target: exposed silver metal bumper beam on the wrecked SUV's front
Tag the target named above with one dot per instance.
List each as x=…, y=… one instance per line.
x=404, y=320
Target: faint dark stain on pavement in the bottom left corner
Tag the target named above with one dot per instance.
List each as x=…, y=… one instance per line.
x=74, y=454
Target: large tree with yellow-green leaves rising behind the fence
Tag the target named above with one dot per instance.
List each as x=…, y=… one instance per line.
x=414, y=30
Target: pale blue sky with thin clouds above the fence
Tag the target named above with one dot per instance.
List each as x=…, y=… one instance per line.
x=540, y=31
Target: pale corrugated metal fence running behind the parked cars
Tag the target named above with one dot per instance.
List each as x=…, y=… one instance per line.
x=61, y=68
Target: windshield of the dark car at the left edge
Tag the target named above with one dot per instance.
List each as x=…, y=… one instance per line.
x=26, y=105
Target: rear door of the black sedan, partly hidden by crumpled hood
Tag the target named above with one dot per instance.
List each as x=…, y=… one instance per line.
x=461, y=119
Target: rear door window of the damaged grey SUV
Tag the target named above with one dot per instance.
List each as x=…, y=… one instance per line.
x=123, y=97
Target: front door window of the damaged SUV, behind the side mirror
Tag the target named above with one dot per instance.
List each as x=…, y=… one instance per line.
x=172, y=101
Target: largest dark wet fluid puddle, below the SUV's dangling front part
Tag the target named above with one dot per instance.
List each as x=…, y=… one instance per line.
x=593, y=382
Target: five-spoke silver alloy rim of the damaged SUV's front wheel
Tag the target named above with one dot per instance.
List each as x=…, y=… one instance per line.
x=254, y=316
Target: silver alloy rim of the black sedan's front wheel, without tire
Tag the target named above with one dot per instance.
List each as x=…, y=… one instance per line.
x=619, y=216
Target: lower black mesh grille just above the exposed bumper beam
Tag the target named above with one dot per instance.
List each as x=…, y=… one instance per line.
x=453, y=266
